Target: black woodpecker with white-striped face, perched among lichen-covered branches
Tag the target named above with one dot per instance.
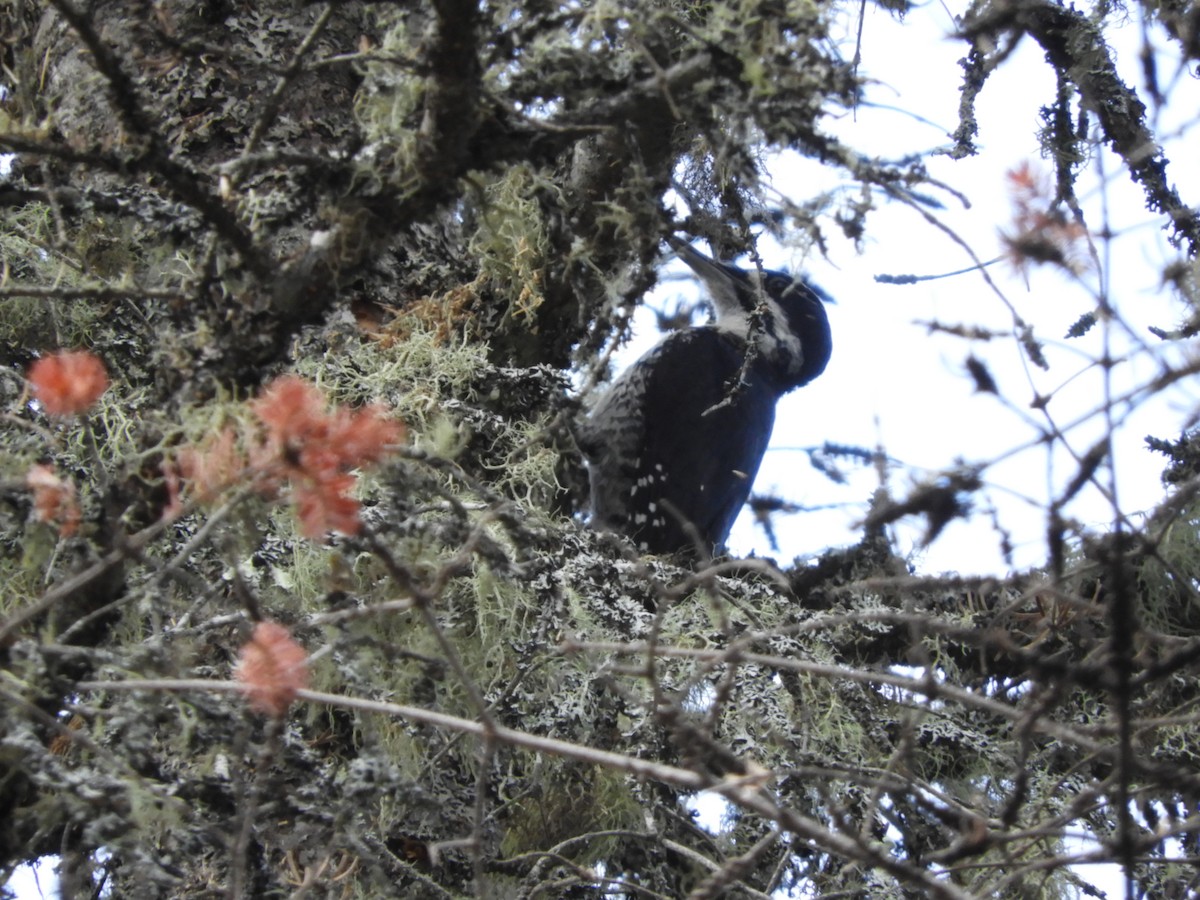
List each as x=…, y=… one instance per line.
x=674, y=447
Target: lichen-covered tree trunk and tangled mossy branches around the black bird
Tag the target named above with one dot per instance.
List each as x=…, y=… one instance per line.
x=443, y=208
